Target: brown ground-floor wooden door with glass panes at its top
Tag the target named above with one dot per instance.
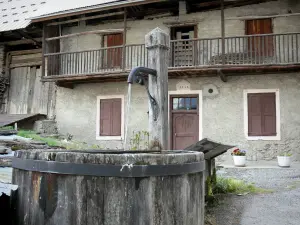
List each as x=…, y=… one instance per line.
x=184, y=121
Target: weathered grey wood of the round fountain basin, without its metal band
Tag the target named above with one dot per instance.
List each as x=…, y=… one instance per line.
x=72, y=200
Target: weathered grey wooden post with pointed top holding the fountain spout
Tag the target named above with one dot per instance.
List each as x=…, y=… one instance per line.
x=158, y=43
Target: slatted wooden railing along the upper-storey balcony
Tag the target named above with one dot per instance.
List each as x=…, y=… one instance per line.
x=250, y=50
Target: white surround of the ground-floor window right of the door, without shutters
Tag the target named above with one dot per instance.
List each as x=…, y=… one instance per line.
x=277, y=102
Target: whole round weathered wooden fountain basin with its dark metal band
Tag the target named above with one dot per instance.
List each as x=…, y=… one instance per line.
x=109, y=187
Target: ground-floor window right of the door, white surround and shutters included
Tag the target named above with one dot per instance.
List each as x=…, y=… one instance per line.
x=262, y=118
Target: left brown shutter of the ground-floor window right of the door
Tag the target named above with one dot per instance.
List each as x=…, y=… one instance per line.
x=254, y=115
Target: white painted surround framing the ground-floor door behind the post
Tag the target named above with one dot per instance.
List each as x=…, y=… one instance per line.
x=200, y=111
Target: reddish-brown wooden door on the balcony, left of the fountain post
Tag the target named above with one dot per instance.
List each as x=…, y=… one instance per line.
x=114, y=55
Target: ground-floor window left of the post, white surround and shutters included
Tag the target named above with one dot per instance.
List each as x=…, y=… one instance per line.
x=110, y=118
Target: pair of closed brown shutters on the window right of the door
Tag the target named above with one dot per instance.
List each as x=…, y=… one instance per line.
x=261, y=114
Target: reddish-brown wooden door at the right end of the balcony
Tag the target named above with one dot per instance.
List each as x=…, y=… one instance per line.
x=260, y=45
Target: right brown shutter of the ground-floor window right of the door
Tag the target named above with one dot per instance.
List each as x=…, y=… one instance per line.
x=268, y=102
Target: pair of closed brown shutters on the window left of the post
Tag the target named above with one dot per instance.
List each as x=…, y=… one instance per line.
x=110, y=117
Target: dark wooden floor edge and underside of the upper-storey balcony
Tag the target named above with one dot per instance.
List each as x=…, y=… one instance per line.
x=69, y=81
